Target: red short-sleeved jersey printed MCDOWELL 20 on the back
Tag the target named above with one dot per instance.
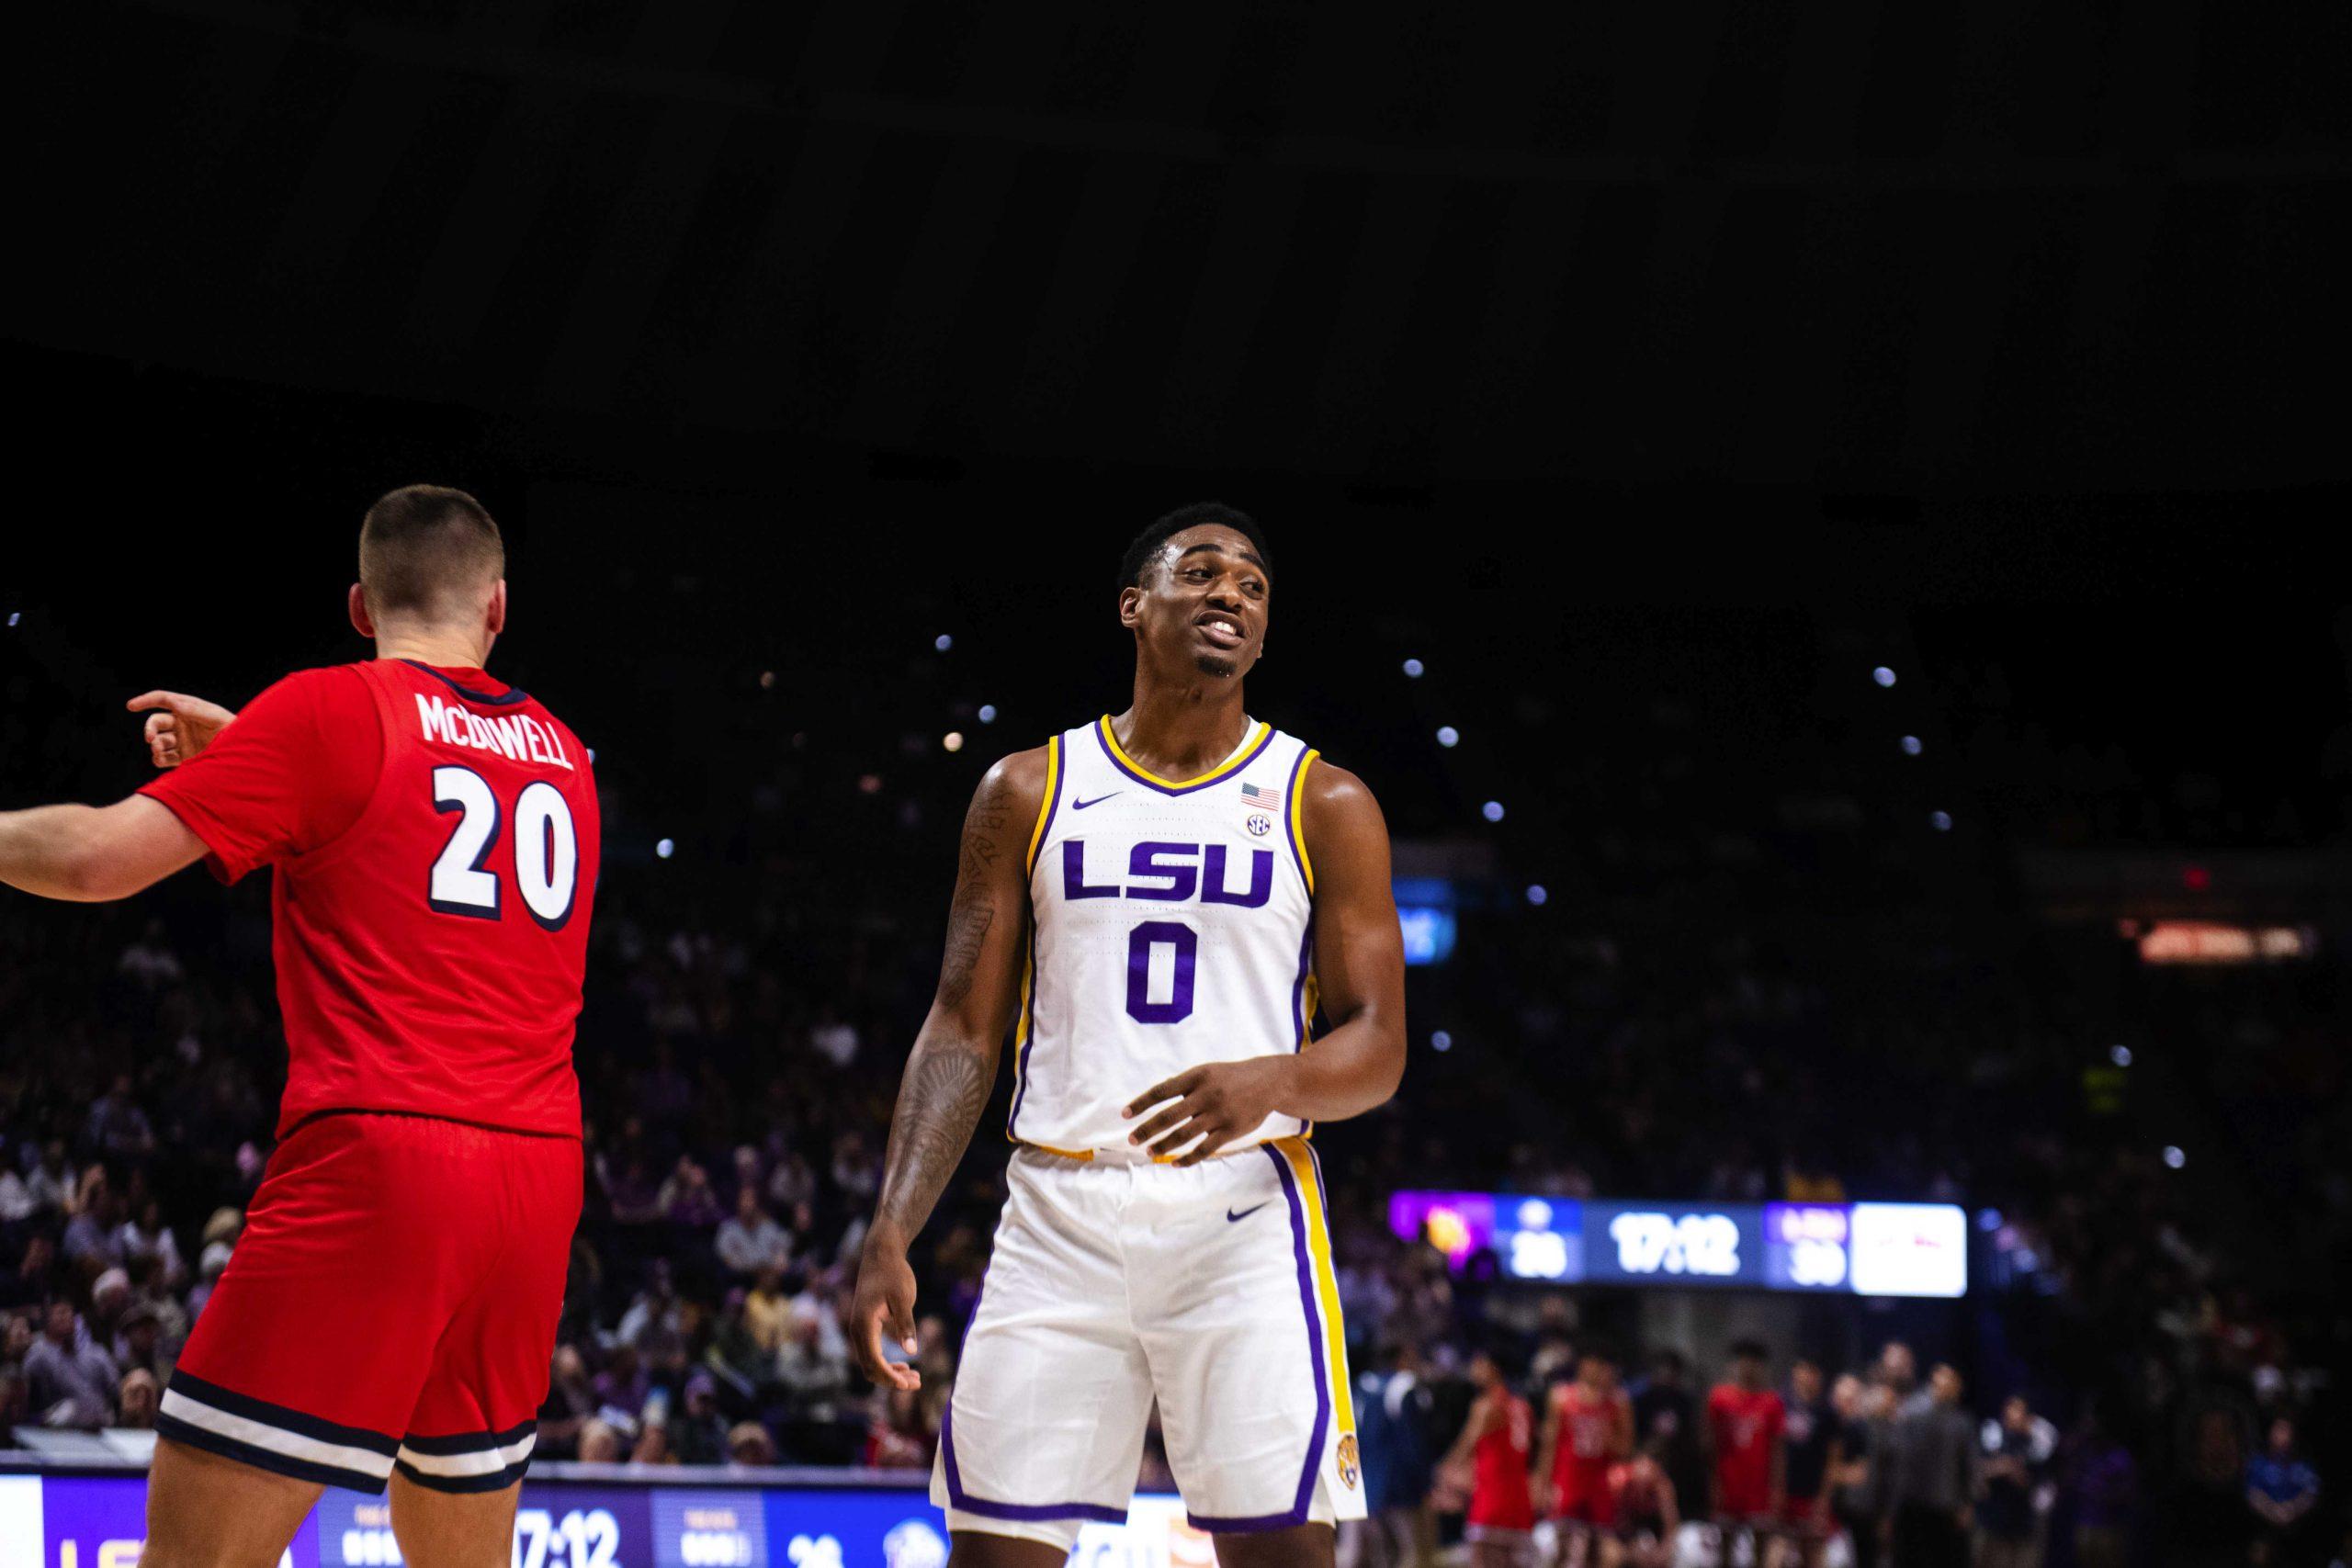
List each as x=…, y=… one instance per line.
x=432, y=951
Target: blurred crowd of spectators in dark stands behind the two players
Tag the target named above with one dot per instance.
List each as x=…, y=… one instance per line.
x=735, y=1148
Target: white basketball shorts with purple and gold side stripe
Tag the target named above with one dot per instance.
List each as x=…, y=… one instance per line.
x=1118, y=1282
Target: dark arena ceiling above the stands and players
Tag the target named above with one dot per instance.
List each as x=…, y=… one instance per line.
x=1855, y=246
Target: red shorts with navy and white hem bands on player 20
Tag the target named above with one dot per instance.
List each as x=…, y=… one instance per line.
x=392, y=1306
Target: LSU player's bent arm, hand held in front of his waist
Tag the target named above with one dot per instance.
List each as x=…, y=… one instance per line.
x=1361, y=972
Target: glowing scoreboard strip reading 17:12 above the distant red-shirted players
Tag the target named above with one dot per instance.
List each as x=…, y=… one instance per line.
x=1824, y=1249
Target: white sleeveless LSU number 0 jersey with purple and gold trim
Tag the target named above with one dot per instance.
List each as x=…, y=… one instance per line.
x=1172, y=925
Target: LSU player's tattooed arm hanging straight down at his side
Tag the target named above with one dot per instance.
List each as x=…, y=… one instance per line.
x=954, y=1064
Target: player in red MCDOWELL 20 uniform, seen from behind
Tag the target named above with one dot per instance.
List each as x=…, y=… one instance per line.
x=392, y=1308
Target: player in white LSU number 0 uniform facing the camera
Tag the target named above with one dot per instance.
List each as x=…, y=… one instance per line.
x=1156, y=904
